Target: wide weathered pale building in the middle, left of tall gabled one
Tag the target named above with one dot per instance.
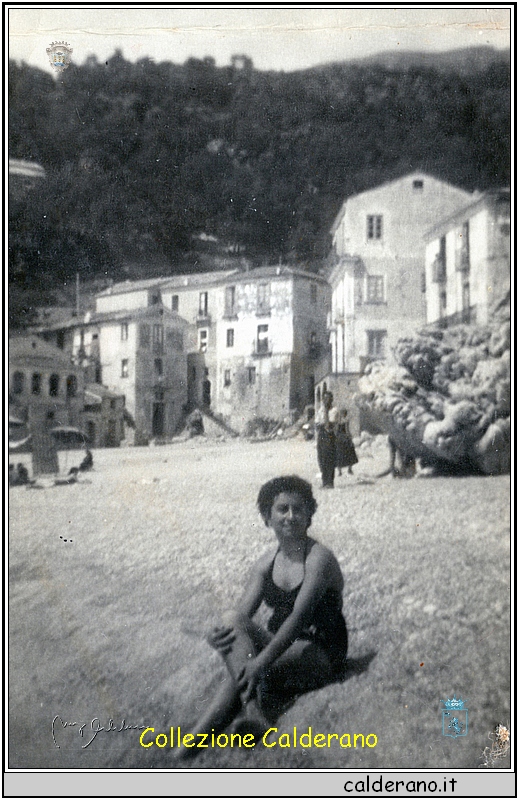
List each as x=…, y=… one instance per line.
x=254, y=340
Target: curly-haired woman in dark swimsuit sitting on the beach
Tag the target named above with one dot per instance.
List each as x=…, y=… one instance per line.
x=305, y=642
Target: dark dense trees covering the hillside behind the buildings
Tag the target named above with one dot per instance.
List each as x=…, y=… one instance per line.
x=140, y=157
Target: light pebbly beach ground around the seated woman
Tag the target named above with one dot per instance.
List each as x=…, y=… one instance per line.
x=113, y=582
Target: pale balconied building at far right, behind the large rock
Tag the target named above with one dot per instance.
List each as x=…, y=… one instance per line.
x=467, y=261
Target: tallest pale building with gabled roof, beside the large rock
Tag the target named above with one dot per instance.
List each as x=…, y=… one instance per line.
x=378, y=277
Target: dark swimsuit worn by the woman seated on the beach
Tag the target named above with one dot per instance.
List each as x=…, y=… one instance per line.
x=326, y=626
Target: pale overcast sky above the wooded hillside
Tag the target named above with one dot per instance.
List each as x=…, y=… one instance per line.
x=281, y=38
